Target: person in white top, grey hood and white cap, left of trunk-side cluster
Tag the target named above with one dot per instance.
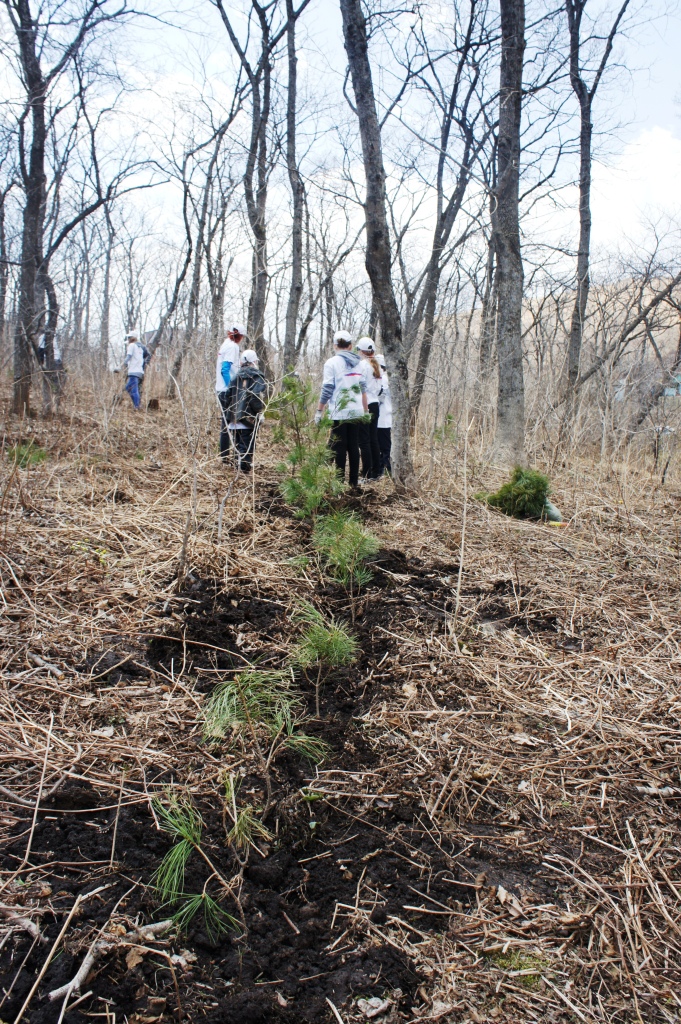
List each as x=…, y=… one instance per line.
x=345, y=394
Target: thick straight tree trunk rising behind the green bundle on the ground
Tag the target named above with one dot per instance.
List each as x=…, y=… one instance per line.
x=509, y=442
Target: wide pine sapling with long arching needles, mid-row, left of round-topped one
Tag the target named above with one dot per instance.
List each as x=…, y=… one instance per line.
x=262, y=703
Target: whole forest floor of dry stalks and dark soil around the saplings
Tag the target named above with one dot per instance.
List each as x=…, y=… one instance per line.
x=494, y=835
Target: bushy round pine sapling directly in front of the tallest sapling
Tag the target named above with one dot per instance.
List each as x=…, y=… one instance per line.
x=346, y=546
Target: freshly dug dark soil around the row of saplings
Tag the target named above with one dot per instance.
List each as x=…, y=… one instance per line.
x=292, y=960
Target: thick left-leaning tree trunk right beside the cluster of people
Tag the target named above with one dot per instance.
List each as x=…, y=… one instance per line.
x=378, y=259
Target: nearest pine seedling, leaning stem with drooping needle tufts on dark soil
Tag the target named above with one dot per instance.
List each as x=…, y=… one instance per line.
x=181, y=819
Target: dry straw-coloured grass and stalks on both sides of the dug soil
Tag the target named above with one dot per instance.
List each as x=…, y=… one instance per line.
x=539, y=732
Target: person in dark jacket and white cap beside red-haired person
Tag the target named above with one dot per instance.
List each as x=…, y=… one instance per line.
x=242, y=405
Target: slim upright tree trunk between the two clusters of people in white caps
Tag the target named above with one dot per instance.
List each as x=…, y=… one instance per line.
x=297, y=193
